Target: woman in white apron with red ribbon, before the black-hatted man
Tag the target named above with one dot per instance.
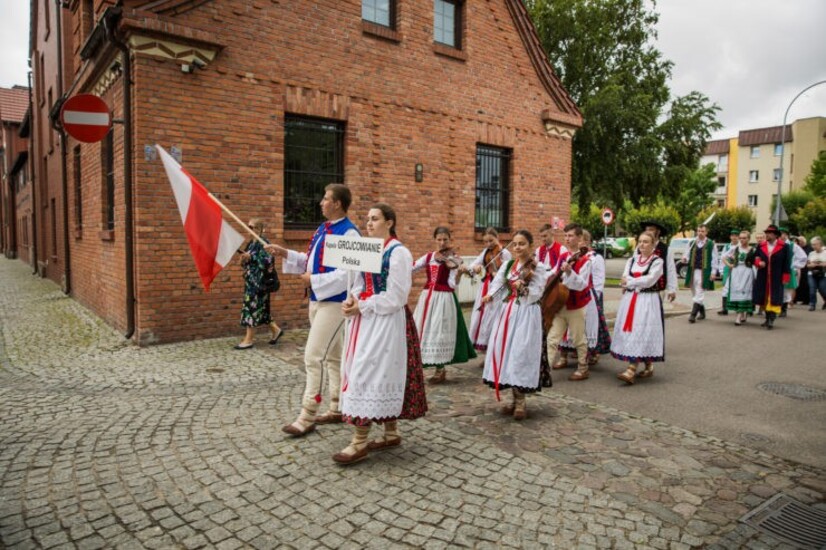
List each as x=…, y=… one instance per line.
x=638, y=329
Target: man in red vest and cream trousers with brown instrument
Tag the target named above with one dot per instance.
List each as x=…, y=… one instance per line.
x=576, y=277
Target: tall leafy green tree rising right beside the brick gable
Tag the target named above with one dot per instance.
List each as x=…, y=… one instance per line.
x=604, y=54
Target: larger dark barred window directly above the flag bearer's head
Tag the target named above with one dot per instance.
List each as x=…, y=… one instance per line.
x=313, y=158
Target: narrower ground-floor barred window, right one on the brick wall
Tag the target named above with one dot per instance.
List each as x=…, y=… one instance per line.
x=492, y=187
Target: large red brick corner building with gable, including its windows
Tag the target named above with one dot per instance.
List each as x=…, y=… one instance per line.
x=448, y=110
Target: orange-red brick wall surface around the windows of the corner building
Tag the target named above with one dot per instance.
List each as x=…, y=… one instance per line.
x=402, y=103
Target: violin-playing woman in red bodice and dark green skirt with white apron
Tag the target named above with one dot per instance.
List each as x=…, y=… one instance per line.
x=439, y=320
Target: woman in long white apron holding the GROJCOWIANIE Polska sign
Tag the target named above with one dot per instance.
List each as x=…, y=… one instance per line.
x=382, y=377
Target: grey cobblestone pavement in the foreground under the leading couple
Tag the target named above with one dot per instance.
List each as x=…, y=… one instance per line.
x=103, y=444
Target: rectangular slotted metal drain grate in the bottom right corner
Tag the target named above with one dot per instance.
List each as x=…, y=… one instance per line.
x=789, y=520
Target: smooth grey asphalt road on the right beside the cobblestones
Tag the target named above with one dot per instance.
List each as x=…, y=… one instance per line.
x=711, y=380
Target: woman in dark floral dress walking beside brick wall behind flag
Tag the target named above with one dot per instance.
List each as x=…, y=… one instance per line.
x=255, y=311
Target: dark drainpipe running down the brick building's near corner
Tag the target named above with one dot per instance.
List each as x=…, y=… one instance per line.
x=127, y=170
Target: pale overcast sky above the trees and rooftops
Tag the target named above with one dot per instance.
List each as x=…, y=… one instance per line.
x=751, y=57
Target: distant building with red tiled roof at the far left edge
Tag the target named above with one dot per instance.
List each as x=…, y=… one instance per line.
x=15, y=191
